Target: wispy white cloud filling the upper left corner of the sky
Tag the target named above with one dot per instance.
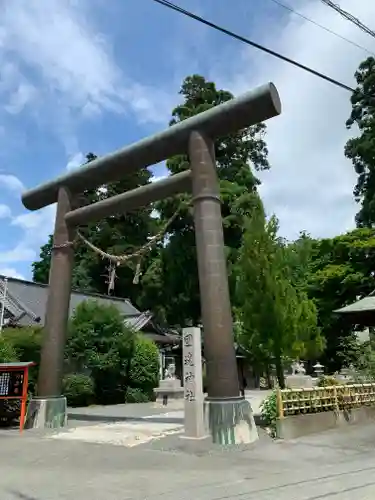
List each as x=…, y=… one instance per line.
x=70, y=62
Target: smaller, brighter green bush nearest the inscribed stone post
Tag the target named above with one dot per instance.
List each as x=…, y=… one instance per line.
x=144, y=366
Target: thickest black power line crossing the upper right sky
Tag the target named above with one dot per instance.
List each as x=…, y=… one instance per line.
x=258, y=46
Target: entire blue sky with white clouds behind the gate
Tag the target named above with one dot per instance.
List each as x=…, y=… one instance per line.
x=89, y=75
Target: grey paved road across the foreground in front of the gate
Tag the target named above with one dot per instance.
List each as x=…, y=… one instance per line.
x=333, y=465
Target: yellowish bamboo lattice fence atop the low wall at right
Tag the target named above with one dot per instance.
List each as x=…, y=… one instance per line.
x=320, y=399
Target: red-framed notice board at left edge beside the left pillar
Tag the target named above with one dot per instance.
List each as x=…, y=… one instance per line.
x=14, y=381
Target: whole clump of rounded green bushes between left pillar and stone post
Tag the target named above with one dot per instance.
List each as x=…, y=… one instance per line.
x=122, y=364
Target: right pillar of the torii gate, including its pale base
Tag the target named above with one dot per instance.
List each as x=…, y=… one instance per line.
x=229, y=415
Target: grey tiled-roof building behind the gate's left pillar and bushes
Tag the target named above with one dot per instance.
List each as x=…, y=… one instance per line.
x=25, y=305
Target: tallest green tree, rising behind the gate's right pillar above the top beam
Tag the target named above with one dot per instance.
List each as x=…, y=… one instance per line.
x=176, y=270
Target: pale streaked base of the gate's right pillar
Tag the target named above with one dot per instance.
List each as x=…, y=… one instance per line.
x=230, y=421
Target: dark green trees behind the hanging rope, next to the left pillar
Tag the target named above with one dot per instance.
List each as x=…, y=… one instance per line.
x=118, y=234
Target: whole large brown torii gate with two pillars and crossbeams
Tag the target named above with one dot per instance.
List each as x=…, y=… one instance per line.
x=194, y=136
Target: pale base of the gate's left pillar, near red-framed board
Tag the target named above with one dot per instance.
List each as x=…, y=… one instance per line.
x=47, y=413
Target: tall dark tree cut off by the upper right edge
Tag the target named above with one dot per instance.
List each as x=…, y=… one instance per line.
x=361, y=150
